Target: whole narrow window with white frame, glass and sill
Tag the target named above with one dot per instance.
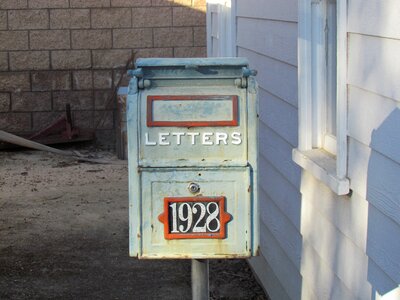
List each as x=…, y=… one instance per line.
x=322, y=92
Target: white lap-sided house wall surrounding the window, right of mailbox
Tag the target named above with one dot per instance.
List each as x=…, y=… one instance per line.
x=315, y=244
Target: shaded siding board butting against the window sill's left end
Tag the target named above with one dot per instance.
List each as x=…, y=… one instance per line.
x=279, y=153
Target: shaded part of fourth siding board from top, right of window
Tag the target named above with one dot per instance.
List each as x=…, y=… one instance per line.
x=383, y=186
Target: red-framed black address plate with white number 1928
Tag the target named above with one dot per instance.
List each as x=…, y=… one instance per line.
x=194, y=218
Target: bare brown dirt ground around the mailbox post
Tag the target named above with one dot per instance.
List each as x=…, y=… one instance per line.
x=64, y=235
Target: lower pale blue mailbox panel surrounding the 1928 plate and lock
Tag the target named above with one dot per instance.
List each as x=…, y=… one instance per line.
x=231, y=183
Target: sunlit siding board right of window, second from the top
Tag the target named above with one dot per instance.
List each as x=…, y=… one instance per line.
x=374, y=65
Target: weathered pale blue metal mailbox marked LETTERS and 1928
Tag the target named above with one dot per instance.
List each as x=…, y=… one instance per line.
x=192, y=151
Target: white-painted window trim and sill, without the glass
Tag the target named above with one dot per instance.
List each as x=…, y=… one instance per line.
x=330, y=169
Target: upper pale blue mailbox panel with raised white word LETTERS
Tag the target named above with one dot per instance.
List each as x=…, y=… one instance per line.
x=192, y=126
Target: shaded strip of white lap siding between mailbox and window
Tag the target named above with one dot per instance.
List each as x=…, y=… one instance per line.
x=267, y=36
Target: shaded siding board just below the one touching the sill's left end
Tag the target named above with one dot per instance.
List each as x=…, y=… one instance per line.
x=285, y=195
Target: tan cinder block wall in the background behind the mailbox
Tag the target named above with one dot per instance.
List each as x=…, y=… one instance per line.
x=54, y=52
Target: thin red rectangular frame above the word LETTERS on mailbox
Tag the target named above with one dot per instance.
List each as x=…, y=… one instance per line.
x=152, y=123
